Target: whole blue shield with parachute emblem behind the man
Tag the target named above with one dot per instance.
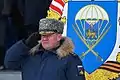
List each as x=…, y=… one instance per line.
x=92, y=25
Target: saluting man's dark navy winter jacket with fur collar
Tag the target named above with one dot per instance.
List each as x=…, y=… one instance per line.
x=56, y=64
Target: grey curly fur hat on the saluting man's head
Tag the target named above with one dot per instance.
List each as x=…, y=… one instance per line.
x=50, y=25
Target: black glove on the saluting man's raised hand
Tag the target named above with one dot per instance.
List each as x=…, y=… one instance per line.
x=32, y=40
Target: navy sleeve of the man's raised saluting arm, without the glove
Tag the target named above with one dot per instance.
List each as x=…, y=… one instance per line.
x=16, y=55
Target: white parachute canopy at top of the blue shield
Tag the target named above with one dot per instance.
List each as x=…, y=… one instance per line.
x=92, y=14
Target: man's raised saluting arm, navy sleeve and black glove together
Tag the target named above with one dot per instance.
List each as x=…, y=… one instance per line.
x=19, y=52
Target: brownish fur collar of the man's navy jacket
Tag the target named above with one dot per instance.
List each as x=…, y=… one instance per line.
x=65, y=48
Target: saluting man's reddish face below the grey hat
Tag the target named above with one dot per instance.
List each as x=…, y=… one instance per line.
x=51, y=40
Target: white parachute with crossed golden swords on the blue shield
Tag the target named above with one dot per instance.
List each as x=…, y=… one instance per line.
x=91, y=25
